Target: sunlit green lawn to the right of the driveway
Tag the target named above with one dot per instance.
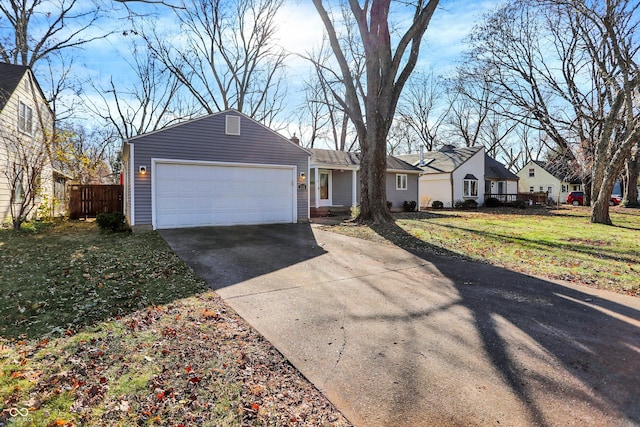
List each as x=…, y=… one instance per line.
x=554, y=243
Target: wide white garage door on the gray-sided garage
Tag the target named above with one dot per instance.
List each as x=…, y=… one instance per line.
x=192, y=195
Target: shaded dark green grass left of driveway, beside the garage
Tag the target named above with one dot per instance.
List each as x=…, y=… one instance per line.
x=61, y=278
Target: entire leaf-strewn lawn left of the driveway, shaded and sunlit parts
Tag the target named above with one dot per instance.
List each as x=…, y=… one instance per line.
x=114, y=330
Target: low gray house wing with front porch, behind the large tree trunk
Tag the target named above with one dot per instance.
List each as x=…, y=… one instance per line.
x=334, y=181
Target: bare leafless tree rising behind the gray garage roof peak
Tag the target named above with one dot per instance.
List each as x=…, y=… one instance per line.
x=227, y=56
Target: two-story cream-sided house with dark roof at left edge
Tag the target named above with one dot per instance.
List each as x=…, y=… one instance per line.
x=25, y=121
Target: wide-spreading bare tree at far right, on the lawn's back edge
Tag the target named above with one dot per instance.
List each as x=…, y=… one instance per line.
x=567, y=67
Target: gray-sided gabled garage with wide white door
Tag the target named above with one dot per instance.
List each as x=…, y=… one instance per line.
x=221, y=169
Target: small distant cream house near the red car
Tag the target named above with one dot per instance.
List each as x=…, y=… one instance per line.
x=557, y=180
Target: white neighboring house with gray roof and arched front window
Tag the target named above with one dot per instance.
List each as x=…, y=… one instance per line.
x=460, y=173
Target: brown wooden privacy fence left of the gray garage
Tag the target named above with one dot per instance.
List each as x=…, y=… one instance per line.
x=90, y=200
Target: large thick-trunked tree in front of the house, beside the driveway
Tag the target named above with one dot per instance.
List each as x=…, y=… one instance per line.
x=372, y=109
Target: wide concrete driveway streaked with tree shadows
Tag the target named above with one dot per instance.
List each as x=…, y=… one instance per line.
x=396, y=339
